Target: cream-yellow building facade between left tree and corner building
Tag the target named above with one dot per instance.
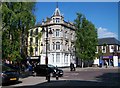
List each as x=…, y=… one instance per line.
x=34, y=44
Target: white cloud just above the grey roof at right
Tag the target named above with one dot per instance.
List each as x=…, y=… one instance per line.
x=104, y=32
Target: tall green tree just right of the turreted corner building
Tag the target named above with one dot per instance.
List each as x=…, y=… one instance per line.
x=86, y=39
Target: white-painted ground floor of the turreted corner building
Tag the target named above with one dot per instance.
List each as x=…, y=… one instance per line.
x=58, y=59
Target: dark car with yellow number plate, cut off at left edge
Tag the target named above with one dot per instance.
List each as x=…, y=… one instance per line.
x=8, y=74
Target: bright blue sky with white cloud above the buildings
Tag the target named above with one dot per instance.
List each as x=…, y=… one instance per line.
x=104, y=15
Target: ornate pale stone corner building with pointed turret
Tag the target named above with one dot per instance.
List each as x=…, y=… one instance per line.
x=61, y=50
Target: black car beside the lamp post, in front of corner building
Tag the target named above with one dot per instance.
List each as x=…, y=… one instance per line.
x=43, y=70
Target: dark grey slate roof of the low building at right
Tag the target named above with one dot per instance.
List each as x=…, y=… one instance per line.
x=108, y=41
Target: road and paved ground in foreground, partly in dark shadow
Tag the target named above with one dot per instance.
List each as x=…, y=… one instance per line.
x=80, y=77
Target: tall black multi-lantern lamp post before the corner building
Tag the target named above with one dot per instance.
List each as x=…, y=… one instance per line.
x=46, y=58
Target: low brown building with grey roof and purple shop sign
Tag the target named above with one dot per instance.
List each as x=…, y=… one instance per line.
x=109, y=50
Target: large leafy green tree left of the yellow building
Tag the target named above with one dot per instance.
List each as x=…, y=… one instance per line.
x=17, y=18
